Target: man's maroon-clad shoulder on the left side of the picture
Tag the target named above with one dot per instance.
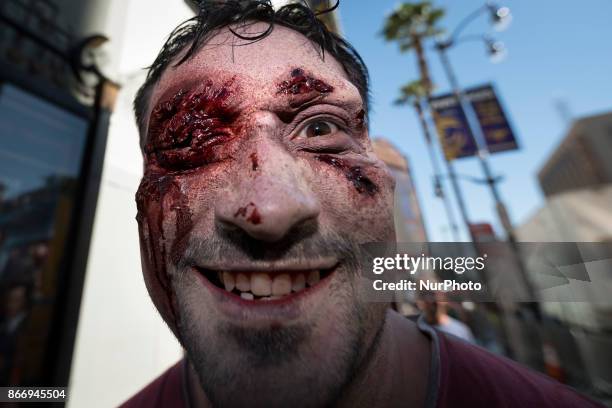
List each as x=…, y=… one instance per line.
x=165, y=391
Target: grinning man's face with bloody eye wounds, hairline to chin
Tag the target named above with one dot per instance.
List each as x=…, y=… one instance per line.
x=259, y=184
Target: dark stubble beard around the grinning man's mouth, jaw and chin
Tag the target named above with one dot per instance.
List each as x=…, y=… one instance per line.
x=297, y=366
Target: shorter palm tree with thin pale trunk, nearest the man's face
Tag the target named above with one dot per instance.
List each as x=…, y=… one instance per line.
x=413, y=94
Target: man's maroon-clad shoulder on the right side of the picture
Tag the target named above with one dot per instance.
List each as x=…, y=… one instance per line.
x=473, y=376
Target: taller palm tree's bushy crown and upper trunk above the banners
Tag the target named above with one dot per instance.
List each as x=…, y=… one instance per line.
x=410, y=24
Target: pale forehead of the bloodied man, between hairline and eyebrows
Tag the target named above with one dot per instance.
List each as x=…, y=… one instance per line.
x=256, y=66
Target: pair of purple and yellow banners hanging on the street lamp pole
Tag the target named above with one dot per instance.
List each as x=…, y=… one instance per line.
x=456, y=139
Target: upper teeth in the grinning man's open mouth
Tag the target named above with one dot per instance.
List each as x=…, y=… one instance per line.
x=266, y=285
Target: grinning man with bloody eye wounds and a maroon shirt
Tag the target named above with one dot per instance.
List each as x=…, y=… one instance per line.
x=260, y=184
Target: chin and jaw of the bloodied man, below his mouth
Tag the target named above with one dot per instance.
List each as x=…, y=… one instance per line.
x=278, y=355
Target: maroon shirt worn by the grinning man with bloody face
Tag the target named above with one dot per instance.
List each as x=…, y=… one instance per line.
x=462, y=375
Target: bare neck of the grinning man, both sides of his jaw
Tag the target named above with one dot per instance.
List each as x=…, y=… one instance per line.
x=396, y=374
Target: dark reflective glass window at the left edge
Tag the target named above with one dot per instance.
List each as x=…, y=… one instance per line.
x=41, y=151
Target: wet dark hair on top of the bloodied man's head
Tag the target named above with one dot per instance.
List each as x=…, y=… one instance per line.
x=213, y=15
